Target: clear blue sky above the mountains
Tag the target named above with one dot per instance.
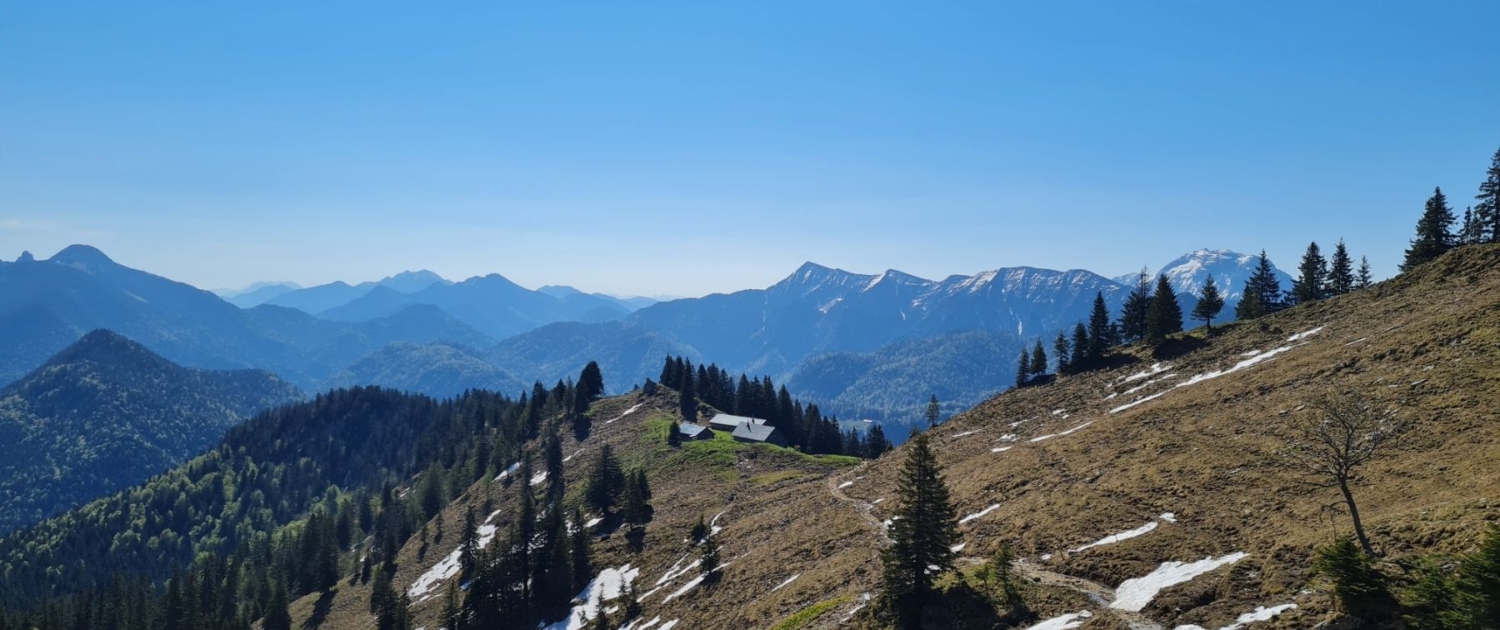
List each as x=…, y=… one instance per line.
x=650, y=148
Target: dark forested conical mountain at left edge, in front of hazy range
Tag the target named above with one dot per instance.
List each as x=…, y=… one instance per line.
x=104, y=415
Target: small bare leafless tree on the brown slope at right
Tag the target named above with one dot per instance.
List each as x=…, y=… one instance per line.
x=1334, y=437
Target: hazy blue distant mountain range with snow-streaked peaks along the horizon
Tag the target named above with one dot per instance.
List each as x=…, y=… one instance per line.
x=857, y=343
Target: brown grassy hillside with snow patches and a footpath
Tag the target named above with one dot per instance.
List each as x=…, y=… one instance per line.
x=1432, y=347
